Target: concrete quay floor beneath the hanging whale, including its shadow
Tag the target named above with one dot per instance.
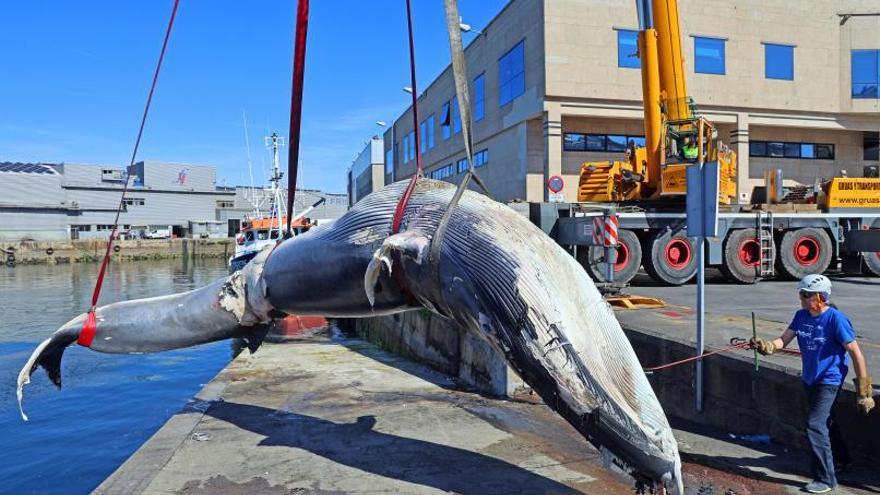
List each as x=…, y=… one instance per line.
x=338, y=415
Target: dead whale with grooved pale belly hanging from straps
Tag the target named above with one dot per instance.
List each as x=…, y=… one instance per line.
x=489, y=270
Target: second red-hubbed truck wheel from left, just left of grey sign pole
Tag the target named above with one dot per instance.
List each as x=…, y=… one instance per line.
x=669, y=257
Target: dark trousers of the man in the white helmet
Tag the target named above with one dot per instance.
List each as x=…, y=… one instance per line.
x=826, y=443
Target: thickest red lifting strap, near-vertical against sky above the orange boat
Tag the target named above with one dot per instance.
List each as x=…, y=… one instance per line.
x=299, y=68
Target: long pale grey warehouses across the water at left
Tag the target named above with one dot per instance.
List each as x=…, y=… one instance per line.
x=77, y=201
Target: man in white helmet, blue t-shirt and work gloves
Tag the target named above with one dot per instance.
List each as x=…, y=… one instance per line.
x=825, y=336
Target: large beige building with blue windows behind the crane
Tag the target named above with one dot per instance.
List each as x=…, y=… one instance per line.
x=790, y=85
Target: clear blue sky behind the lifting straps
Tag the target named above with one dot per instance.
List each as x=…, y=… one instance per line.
x=76, y=76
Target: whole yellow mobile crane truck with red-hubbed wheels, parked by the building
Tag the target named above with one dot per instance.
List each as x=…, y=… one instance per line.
x=808, y=230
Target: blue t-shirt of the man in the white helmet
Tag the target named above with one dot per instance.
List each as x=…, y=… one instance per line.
x=822, y=339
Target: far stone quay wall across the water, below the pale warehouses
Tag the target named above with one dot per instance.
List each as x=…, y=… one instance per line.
x=92, y=250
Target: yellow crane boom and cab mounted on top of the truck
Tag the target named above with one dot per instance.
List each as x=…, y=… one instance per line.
x=672, y=128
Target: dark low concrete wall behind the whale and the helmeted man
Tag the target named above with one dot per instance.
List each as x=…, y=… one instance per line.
x=737, y=399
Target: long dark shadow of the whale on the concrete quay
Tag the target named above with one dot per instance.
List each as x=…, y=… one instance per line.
x=359, y=446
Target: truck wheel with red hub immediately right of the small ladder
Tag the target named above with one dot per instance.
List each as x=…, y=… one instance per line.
x=803, y=252
